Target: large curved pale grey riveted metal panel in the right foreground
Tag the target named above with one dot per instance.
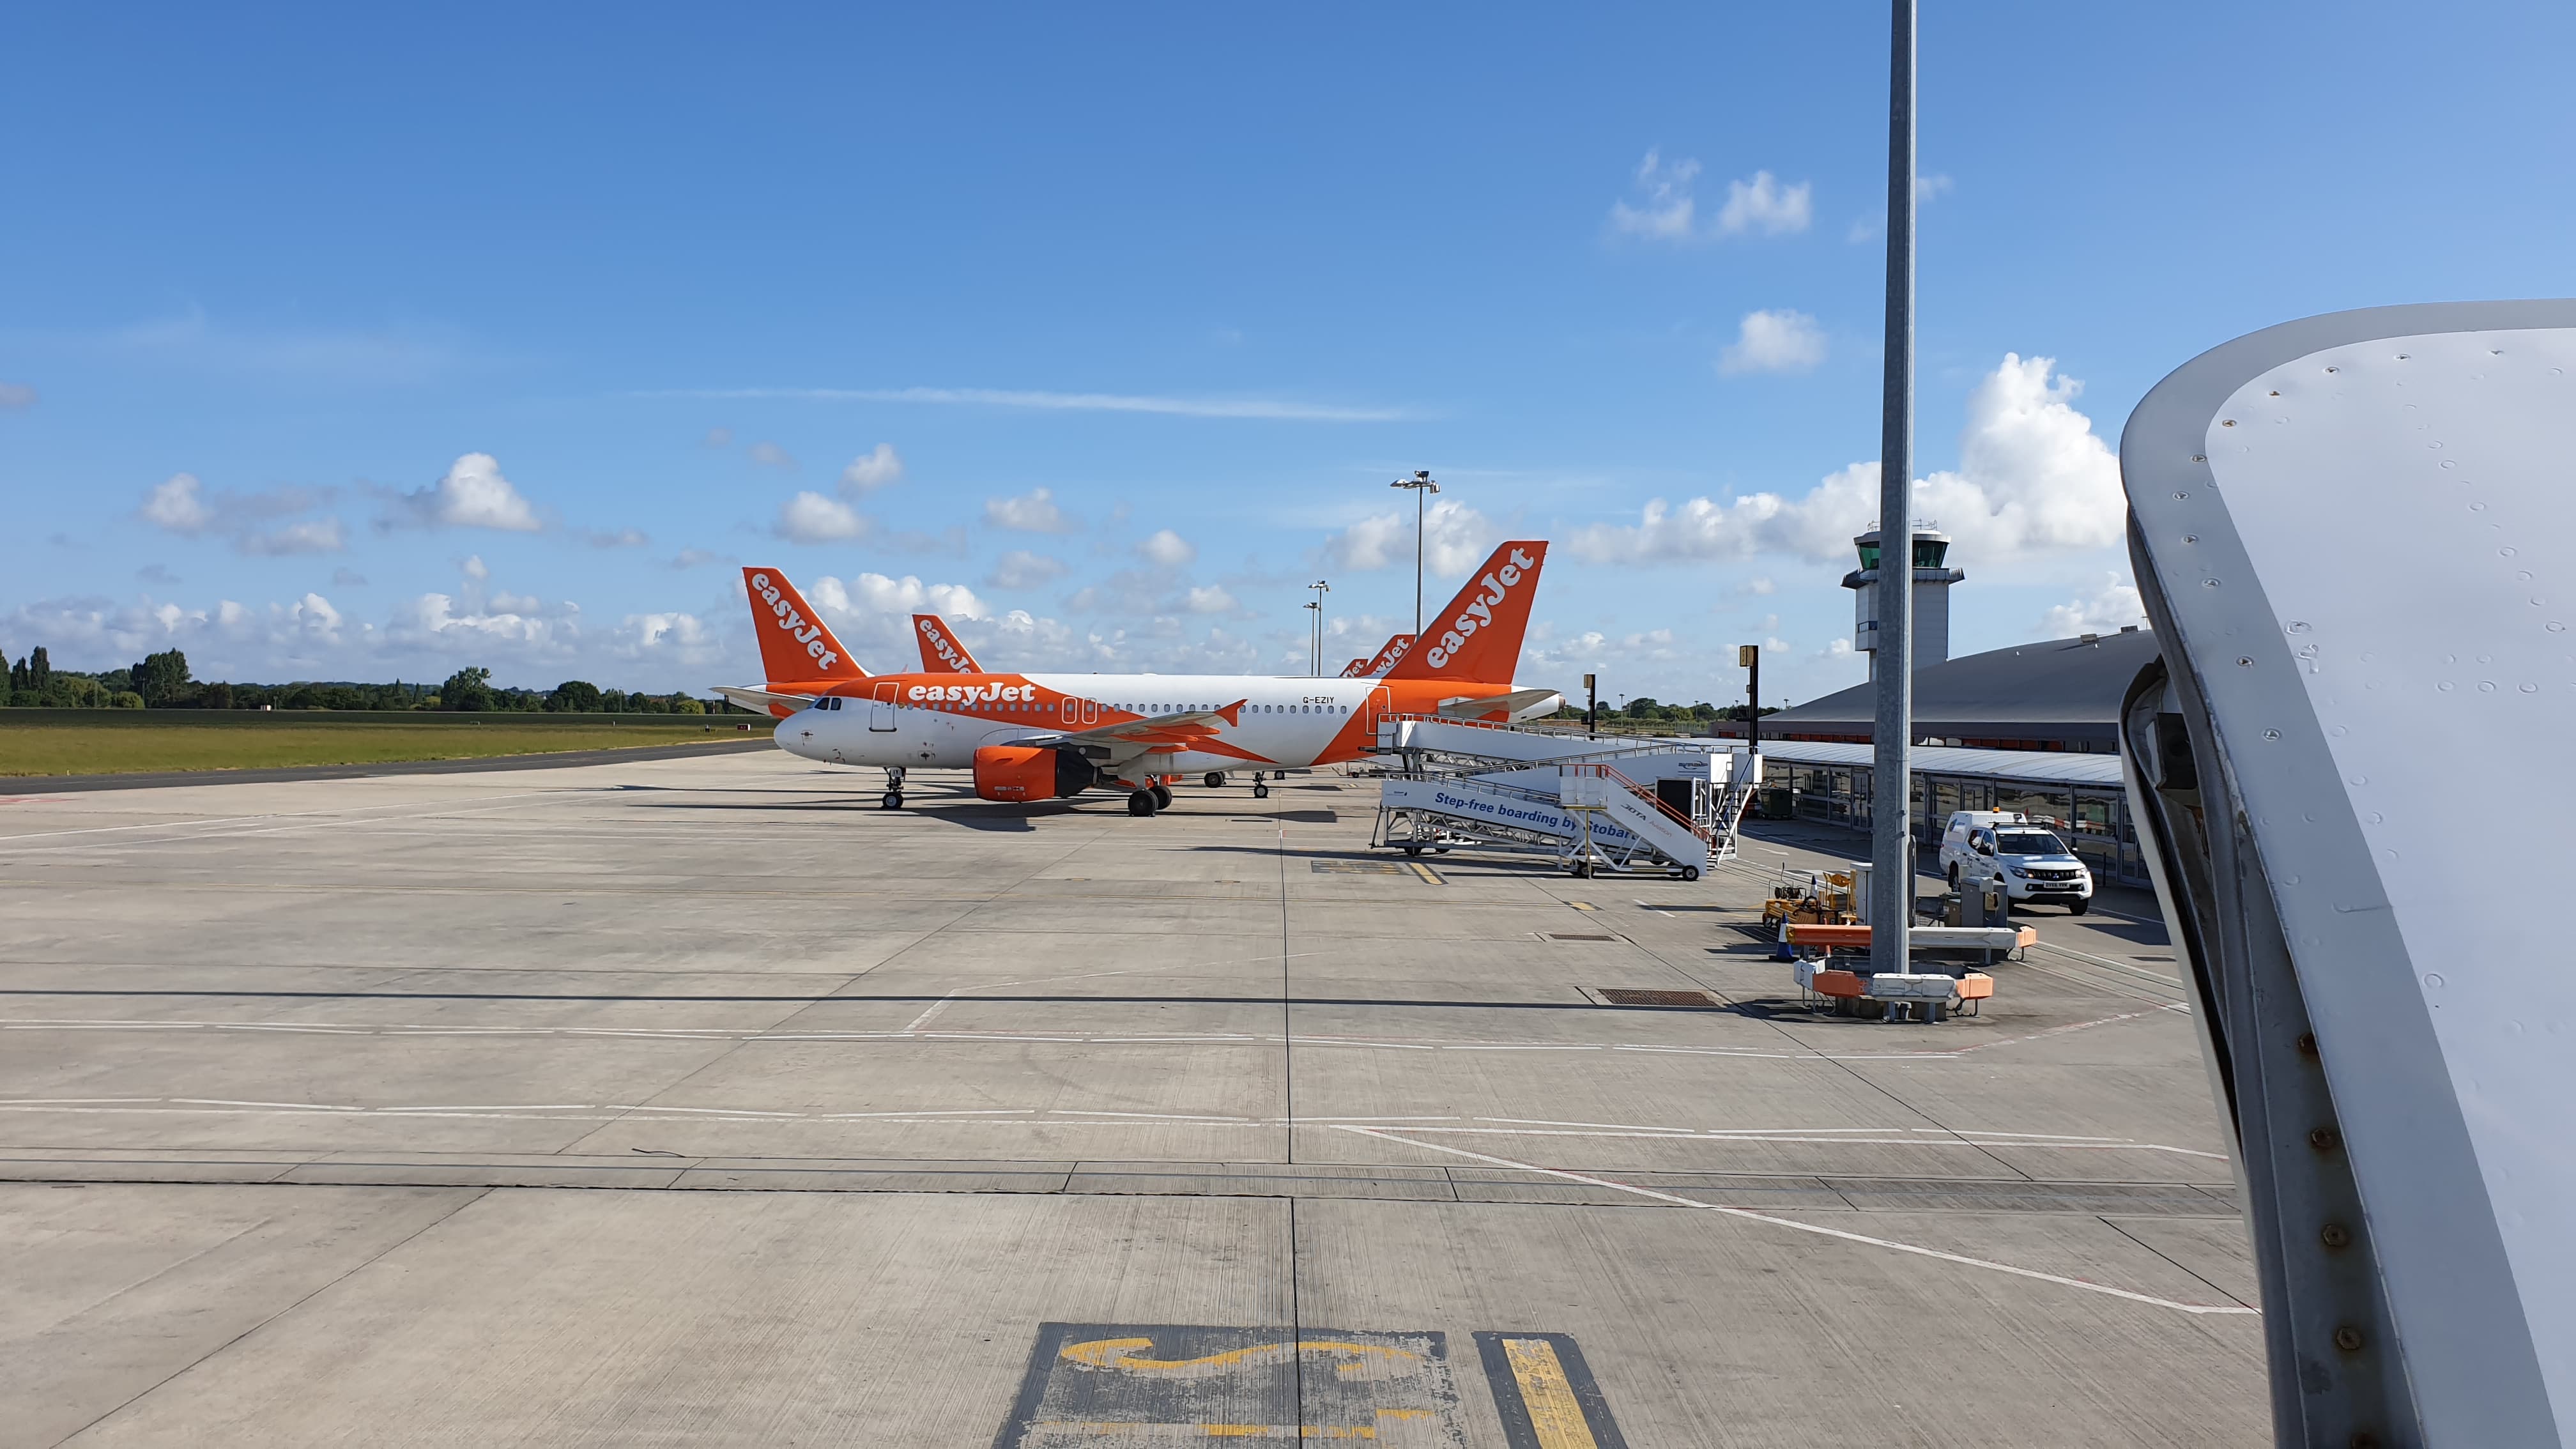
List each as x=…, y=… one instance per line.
x=2351, y=535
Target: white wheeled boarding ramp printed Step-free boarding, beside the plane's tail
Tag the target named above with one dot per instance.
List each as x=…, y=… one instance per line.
x=1645, y=806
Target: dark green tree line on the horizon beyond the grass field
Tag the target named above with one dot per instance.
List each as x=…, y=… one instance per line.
x=164, y=682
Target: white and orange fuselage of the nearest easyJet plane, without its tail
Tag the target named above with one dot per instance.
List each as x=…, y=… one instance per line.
x=931, y=726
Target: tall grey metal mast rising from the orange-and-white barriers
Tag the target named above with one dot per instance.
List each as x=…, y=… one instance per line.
x=1892, y=795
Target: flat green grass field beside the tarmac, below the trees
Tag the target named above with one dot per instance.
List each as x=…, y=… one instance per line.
x=128, y=741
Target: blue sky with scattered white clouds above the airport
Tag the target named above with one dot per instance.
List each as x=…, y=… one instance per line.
x=362, y=347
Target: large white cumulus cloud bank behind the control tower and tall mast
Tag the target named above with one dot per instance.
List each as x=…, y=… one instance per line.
x=2034, y=478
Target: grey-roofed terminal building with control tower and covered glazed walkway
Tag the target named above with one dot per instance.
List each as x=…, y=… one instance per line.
x=2031, y=728
